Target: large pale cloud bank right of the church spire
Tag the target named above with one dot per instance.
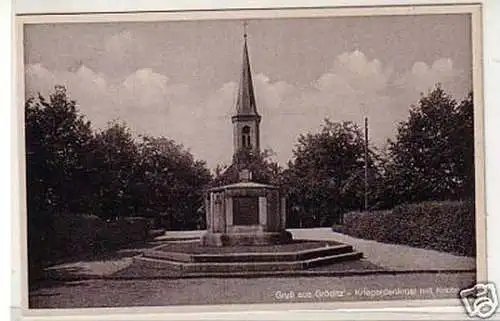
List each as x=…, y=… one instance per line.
x=354, y=87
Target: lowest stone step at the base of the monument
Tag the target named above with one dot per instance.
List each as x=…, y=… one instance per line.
x=228, y=267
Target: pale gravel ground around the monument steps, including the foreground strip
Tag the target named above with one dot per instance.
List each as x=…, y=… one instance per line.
x=94, y=293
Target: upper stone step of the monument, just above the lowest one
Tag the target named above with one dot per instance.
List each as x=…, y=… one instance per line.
x=251, y=256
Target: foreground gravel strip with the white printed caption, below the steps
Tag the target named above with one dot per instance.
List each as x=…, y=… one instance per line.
x=119, y=293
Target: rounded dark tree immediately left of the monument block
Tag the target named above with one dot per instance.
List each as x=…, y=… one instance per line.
x=172, y=183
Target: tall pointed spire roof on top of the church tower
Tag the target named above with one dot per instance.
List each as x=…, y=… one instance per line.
x=245, y=102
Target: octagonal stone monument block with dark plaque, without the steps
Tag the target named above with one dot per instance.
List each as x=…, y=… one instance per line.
x=245, y=213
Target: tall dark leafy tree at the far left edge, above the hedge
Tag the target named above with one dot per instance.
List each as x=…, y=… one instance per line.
x=58, y=143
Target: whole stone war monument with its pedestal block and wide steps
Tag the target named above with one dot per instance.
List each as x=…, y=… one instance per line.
x=245, y=236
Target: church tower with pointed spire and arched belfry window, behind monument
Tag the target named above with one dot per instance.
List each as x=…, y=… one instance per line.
x=246, y=120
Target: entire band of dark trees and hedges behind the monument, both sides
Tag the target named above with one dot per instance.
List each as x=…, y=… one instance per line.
x=72, y=171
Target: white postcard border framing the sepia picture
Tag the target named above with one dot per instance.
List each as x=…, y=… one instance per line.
x=477, y=57
